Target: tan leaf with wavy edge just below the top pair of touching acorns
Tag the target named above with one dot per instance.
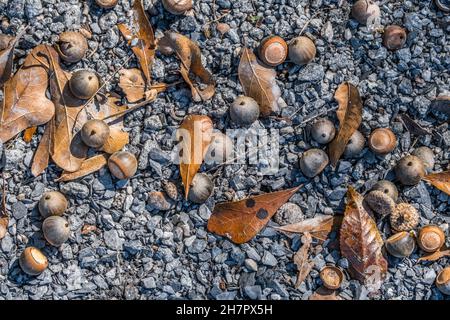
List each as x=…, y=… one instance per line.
x=259, y=82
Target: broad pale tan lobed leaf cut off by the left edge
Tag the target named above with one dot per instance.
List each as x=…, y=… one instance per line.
x=25, y=104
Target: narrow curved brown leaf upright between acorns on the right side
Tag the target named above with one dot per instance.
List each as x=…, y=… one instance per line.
x=349, y=114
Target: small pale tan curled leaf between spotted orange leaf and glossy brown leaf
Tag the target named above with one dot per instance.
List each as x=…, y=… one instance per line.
x=319, y=227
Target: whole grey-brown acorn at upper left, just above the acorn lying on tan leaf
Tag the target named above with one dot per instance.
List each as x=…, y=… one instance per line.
x=71, y=46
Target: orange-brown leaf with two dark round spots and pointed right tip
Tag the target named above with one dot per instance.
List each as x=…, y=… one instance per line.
x=241, y=220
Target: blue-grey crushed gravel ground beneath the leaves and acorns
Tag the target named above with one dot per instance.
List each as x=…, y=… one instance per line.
x=141, y=253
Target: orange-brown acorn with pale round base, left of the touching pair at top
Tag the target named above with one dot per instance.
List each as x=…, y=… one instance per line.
x=273, y=51
